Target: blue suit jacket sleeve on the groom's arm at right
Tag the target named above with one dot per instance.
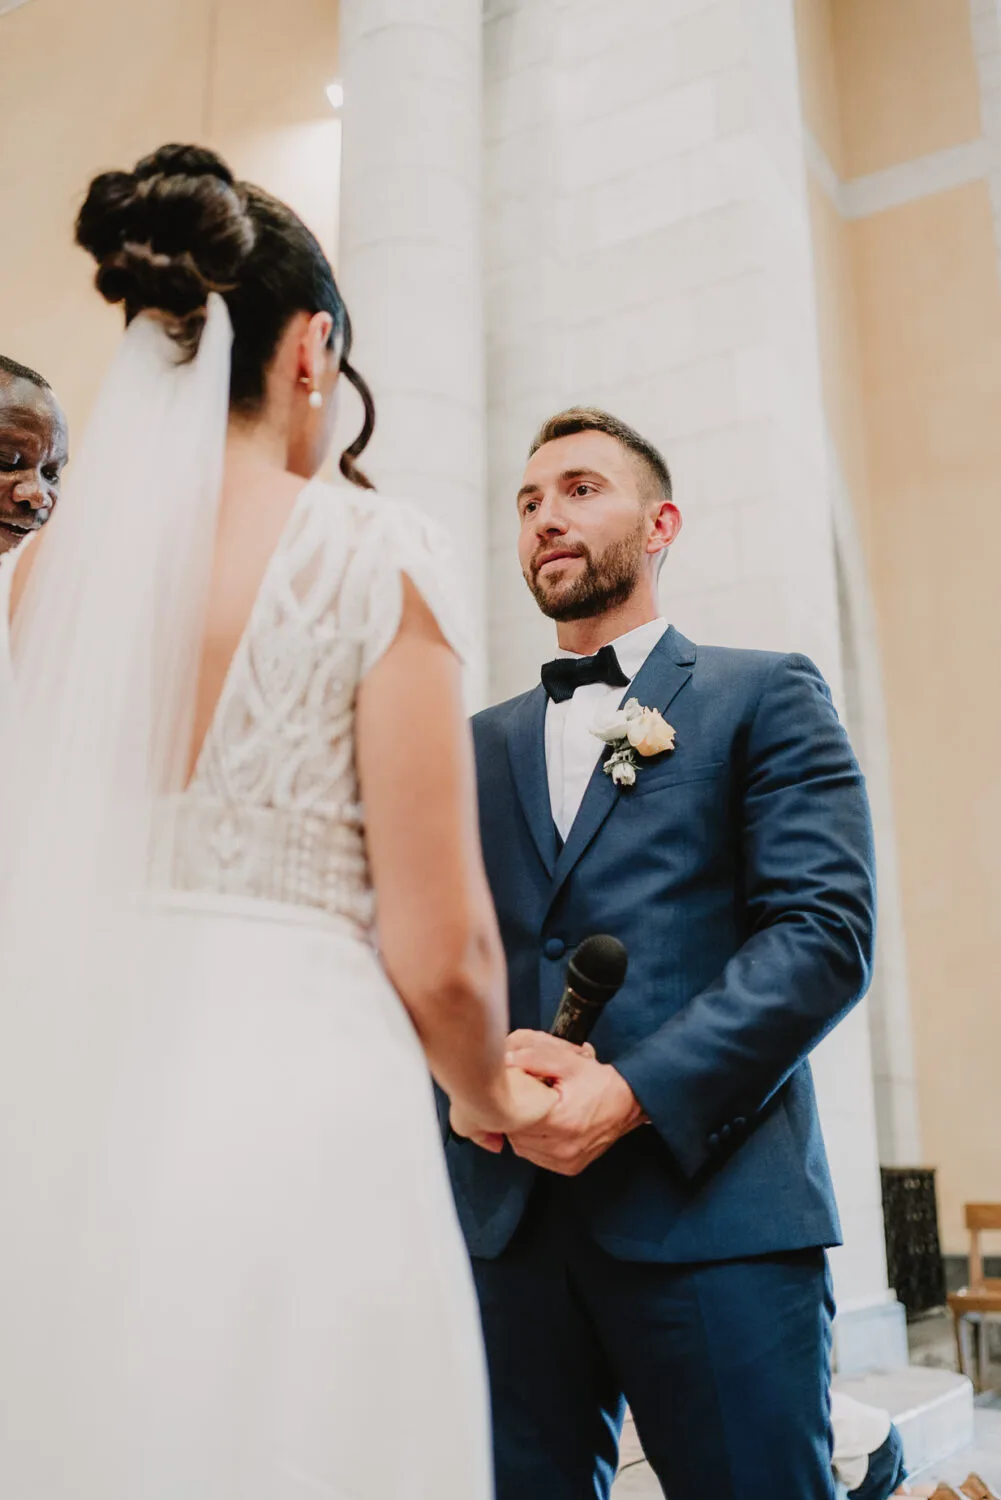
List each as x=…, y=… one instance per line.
x=810, y=899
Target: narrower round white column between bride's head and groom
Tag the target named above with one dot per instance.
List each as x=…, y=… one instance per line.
x=412, y=259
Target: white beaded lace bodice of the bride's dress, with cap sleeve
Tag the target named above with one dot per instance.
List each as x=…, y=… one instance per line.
x=272, y=811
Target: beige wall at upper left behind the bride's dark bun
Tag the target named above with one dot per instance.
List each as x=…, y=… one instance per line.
x=242, y=76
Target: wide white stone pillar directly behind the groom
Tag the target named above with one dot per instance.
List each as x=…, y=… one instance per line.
x=649, y=251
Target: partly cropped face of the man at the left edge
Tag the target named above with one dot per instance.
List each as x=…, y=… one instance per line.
x=32, y=458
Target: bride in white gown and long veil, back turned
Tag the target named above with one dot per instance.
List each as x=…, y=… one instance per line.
x=242, y=913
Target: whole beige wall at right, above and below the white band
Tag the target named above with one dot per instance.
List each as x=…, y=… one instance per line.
x=910, y=331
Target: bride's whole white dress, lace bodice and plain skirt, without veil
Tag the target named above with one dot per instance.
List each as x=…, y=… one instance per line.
x=278, y=1300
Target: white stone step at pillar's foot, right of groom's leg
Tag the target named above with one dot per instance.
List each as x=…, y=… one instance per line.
x=933, y=1409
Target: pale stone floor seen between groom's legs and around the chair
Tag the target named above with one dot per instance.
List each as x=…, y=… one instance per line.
x=931, y=1340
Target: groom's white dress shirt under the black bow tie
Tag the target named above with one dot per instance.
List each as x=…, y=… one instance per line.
x=573, y=751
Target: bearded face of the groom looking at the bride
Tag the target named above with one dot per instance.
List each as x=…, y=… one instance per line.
x=585, y=526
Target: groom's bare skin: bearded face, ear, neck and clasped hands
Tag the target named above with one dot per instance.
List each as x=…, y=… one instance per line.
x=594, y=535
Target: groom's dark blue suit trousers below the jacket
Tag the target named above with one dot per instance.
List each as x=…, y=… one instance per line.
x=726, y=1367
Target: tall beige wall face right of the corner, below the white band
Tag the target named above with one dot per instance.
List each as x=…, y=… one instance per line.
x=930, y=307
